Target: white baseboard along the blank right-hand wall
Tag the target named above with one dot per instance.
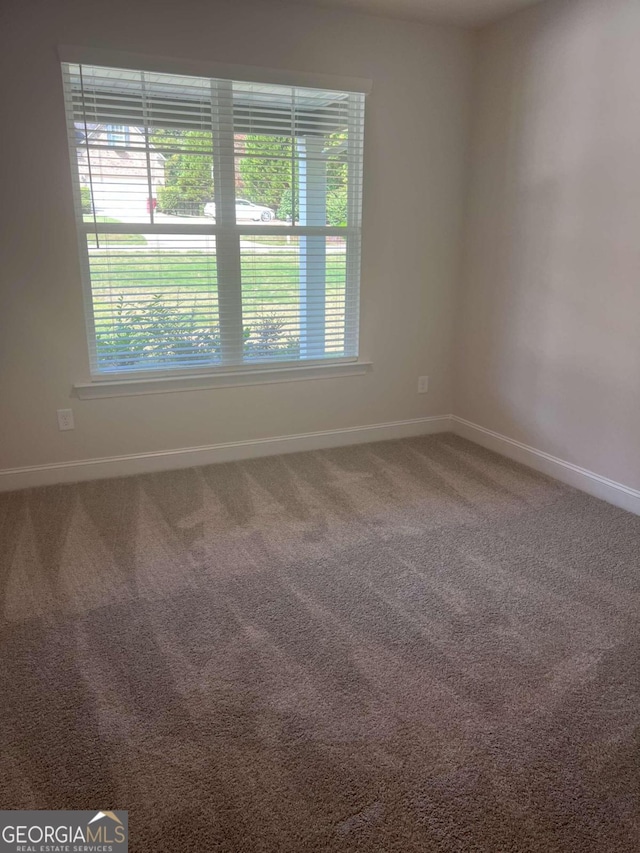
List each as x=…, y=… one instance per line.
x=587, y=481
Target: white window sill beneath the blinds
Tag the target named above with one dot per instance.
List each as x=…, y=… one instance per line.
x=122, y=387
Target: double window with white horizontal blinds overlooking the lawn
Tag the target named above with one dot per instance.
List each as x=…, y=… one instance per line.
x=219, y=221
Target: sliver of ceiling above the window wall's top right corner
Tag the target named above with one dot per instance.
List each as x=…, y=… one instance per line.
x=464, y=12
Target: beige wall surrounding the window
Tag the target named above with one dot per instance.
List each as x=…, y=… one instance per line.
x=415, y=152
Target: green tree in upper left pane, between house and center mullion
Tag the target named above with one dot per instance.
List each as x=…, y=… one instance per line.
x=188, y=174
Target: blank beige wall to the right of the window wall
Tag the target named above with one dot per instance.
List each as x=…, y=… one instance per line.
x=548, y=334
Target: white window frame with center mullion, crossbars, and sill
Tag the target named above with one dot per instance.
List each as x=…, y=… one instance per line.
x=228, y=233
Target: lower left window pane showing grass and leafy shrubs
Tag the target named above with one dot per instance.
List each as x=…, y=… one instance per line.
x=155, y=300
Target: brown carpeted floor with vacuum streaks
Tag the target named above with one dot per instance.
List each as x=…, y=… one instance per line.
x=405, y=646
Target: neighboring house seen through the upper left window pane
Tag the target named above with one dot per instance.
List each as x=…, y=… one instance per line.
x=123, y=173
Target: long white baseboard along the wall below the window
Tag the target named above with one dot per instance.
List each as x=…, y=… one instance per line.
x=186, y=457
